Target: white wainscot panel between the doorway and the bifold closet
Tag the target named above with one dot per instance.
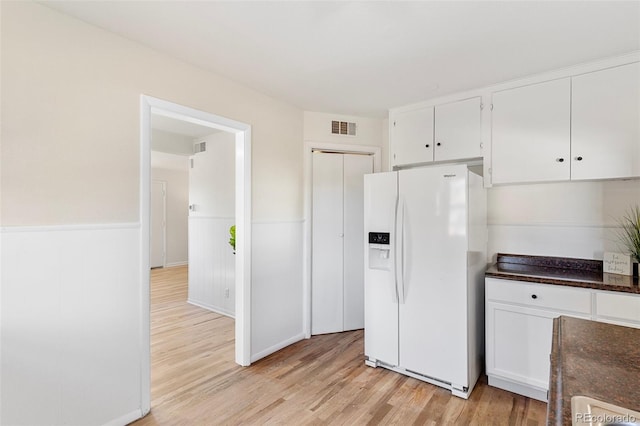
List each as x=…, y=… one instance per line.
x=276, y=292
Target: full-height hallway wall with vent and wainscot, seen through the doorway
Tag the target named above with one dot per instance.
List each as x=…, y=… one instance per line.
x=212, y=197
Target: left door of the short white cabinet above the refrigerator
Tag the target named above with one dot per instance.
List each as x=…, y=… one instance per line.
x=412, y=137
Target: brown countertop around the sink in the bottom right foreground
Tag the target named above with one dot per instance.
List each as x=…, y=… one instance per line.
x=593, y=359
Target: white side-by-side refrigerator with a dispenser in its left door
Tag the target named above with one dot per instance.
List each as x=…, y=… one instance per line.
x=425, y=245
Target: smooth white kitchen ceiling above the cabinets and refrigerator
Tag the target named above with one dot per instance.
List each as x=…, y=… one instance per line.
x=362, y=58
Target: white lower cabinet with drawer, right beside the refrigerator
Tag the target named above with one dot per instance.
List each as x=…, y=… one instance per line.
x=519, y=328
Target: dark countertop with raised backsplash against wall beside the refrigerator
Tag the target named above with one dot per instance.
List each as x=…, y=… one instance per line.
x=560, y=271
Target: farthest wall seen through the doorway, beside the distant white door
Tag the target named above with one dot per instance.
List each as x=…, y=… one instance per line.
x=174, y=170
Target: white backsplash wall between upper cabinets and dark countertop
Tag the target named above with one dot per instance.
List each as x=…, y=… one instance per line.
x=570, y=219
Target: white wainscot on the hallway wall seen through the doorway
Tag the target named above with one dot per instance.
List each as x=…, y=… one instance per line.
x=211, y=264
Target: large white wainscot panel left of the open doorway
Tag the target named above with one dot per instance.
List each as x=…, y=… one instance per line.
x=71, y=325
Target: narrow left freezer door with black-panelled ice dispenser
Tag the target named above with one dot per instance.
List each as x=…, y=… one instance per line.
x=380, y=292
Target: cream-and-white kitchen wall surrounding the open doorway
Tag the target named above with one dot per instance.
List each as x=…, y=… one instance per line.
x=70, y=158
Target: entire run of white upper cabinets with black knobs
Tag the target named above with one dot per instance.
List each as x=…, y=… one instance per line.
x=581, y=123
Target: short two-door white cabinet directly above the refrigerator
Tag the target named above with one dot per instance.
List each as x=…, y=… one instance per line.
x=446, y=132
